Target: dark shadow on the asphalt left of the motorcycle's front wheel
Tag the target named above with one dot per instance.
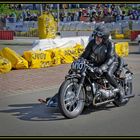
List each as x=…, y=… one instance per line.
x=34, y=112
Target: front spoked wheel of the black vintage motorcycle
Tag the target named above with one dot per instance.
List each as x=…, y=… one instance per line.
x=71, y=106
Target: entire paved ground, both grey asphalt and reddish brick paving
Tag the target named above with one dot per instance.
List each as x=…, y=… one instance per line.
x=22, y=115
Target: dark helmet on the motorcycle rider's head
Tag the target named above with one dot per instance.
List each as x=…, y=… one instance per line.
x=101, y=32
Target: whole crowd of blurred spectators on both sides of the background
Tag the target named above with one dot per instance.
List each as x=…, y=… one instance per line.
x=94, y=13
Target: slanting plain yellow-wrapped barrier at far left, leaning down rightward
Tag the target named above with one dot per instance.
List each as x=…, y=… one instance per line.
x=16, y=60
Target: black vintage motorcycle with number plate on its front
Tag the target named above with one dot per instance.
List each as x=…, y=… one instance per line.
x=84, y=87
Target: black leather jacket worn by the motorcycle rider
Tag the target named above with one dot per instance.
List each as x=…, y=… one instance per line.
x=103, y=54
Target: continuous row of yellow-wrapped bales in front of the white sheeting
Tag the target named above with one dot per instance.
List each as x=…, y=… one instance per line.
x=52, y=57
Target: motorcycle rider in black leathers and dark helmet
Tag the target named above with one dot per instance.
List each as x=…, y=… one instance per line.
x=100, y=50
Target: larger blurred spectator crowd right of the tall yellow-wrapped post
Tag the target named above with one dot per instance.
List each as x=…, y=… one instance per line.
x=99, y=12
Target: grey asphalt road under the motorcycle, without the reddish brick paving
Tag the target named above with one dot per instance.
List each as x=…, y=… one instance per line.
x=22, y=115
